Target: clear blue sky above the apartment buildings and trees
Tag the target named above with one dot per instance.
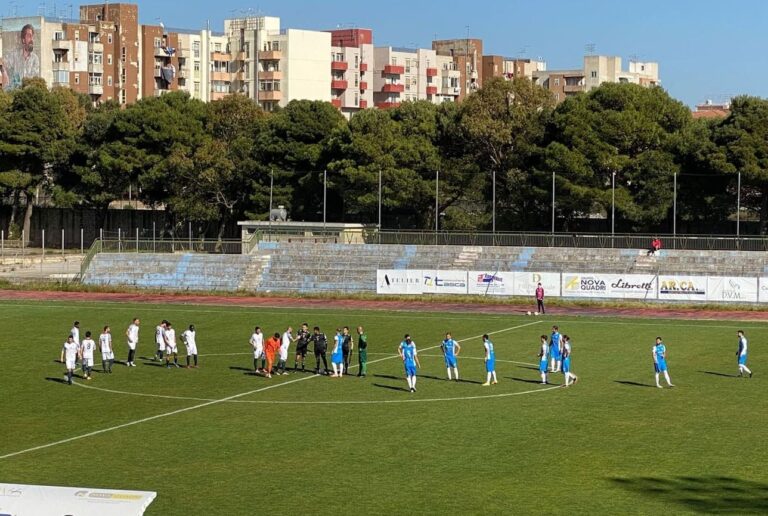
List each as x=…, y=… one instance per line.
x=706, y=48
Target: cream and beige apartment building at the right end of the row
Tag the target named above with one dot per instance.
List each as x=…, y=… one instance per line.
x=597, y=70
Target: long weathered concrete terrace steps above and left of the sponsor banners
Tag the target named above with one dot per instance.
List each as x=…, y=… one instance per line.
x=317, y=267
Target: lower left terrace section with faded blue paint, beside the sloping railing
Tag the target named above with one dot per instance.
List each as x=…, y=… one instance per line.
x=169, y=271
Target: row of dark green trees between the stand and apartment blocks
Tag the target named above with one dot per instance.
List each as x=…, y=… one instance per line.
x=615, y=149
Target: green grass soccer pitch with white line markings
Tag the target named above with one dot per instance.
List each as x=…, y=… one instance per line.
x=218, y=440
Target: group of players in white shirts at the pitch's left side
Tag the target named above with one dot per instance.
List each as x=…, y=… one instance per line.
x=165, y=337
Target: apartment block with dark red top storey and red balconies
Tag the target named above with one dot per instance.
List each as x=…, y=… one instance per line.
x=352, y=58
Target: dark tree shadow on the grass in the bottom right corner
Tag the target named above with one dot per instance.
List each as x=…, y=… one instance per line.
x=709, y=494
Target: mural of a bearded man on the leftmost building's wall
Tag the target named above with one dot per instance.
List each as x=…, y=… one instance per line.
x=21, y=44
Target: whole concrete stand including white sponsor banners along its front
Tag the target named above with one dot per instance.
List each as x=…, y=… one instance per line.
x=707, y=276
